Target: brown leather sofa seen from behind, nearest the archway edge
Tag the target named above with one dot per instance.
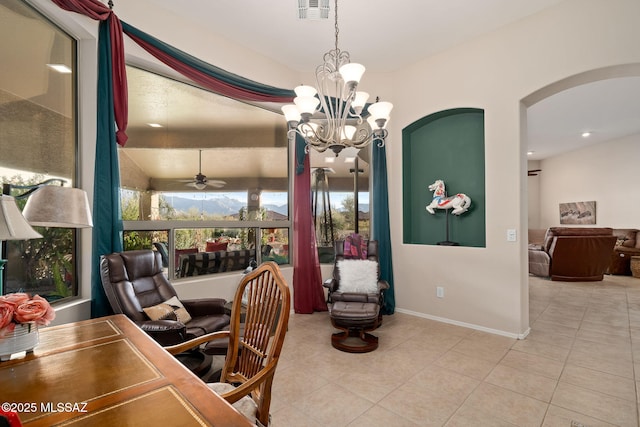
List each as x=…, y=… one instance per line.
x=573, y=253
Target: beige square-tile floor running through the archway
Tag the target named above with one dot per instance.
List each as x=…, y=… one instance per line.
x=576, y=368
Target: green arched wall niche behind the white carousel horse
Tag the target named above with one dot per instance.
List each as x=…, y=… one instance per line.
x=447, y=145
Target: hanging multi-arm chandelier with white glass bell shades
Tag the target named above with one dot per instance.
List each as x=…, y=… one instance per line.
x=331, y=116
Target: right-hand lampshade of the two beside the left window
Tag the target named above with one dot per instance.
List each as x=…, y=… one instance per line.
x=57, y=206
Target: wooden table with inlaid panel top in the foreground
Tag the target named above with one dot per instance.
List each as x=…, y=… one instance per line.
x=107, y=372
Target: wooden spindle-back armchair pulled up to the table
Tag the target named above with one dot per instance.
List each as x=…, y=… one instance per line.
x=254, y=348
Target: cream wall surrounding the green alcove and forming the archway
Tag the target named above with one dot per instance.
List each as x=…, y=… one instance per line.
x=488, y=287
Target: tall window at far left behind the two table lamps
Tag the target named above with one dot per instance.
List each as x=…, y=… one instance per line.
x=38, y=140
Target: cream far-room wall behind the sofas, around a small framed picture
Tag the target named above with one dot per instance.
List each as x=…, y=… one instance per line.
x=607, y=173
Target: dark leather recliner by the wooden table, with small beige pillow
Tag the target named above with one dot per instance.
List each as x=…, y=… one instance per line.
x=133, y=281
